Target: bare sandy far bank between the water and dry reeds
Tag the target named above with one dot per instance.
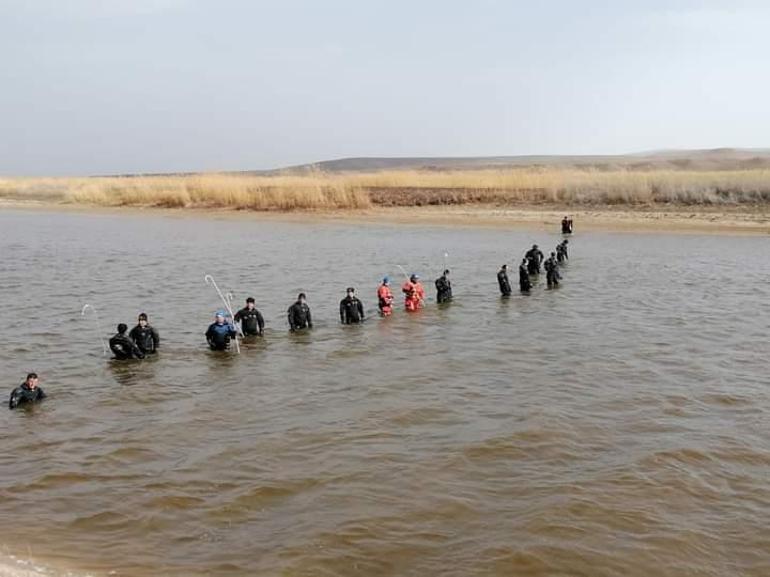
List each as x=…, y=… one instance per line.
x=754, y=220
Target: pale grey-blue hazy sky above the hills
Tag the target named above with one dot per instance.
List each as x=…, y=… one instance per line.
x=134, y=86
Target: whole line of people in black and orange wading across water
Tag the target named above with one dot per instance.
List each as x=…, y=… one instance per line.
x=144, y=340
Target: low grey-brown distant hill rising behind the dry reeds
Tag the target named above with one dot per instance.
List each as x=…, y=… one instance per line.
x=712, y=159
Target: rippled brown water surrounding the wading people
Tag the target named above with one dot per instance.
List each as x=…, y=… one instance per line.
x=615, y=426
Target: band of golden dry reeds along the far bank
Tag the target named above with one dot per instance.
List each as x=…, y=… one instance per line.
x=320, y=190
